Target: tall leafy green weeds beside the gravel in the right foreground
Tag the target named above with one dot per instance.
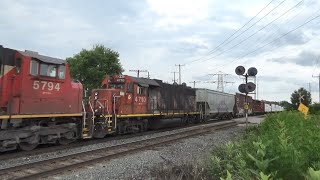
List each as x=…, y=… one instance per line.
x=284, y=145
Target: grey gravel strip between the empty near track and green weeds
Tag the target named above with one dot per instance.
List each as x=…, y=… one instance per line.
x=140, y=165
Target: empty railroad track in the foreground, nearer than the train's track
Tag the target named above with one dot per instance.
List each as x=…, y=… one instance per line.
x=53, y=167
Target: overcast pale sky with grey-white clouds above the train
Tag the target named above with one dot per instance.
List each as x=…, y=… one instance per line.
x=155, y=35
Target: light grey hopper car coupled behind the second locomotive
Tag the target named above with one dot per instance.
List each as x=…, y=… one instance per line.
x=215, y=104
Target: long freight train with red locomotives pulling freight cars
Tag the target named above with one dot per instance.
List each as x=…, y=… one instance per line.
x=41, y=104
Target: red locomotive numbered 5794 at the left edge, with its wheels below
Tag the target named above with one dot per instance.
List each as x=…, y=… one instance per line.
x=39, y=103
